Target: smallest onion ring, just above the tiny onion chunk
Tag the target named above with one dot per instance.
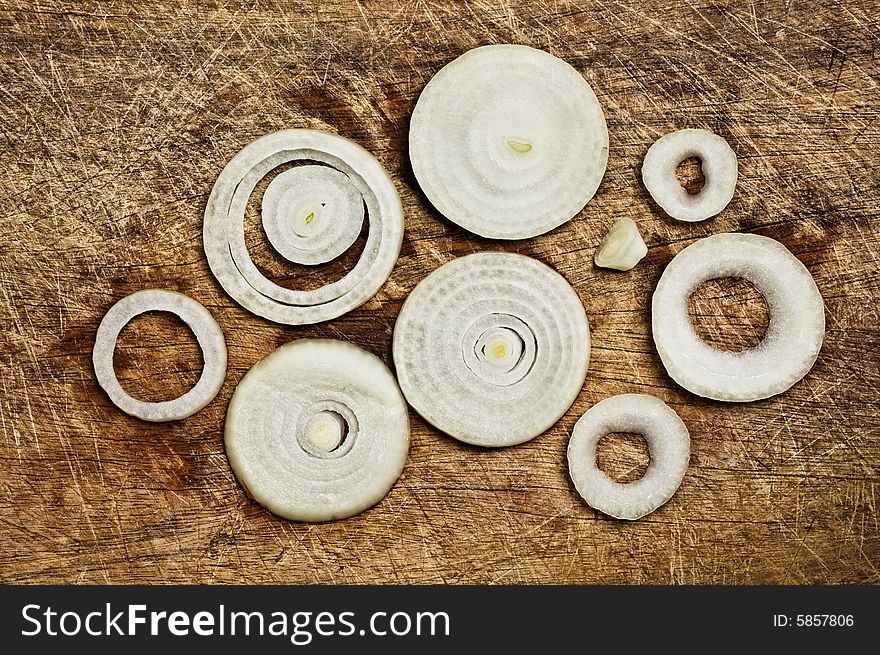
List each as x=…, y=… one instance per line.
x=719, y=167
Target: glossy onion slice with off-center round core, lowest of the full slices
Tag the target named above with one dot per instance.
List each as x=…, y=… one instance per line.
x=318, y=430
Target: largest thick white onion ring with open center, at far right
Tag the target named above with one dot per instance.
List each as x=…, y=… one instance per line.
x=794, y=335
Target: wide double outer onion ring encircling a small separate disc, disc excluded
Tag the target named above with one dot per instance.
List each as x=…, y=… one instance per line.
x=224, y=240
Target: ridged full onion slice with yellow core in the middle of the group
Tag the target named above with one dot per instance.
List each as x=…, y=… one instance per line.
x=492, y=348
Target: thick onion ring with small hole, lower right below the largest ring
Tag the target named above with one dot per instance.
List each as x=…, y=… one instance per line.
x=668, y=444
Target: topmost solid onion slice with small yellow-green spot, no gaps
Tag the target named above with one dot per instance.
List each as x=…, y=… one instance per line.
x=508, y=142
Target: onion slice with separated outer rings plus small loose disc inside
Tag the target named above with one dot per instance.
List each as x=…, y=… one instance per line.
x=311, y=215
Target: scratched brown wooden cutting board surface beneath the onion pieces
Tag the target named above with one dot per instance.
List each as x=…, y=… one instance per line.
x=114, y=123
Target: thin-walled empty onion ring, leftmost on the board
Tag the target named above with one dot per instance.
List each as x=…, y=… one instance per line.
x=207, y=332
